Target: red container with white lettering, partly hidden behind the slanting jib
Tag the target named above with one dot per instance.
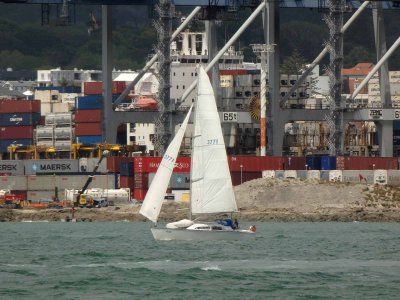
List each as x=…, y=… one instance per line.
x=149, y=164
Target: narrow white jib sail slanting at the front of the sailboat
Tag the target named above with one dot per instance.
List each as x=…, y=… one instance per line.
x=155, y=195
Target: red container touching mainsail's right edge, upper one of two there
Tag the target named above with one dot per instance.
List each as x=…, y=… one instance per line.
x=255, y=163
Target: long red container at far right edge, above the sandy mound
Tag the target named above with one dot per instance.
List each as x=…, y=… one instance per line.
x=366, y=163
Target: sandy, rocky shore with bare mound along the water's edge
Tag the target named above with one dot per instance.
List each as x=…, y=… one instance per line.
x=259, y=200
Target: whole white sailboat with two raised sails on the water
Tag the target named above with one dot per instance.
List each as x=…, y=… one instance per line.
x=211, y=189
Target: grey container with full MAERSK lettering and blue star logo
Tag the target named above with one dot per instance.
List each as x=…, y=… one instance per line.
x=50, y=166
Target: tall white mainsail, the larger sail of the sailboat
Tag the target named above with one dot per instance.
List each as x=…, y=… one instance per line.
x=211, y=183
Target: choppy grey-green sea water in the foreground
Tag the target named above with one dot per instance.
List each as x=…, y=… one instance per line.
x=122, y=261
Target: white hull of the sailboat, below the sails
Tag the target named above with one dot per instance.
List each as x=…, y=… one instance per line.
x=165, y=234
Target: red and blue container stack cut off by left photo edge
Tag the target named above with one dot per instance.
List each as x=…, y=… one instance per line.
x=18, y=119
